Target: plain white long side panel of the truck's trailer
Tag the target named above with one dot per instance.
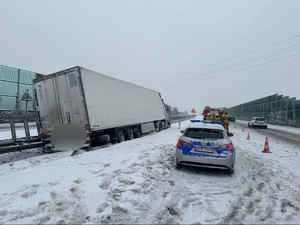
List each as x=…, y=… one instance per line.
x=114, y=103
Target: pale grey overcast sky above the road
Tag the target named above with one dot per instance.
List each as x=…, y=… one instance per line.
x=194, y=52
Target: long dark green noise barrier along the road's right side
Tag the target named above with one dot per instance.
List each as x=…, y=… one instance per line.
x=277, y=109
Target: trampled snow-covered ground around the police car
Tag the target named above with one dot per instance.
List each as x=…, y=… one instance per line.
x=136, y=182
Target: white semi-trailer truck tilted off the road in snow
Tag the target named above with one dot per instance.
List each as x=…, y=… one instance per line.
x=108, y=108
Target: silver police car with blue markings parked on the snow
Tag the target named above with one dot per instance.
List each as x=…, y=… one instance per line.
x=205, y=145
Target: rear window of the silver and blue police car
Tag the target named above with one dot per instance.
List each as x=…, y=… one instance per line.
x=202, y=133
